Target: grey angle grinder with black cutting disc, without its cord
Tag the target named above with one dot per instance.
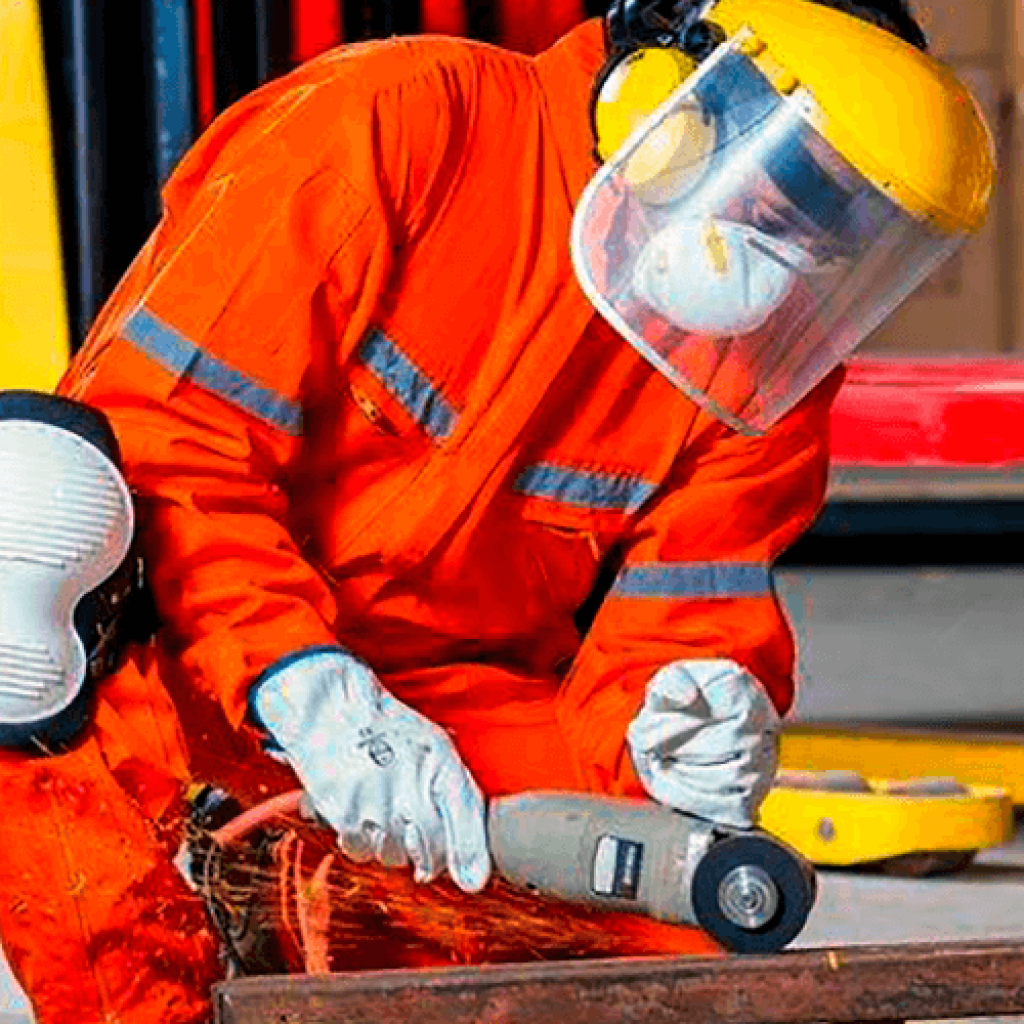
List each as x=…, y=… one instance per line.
x=747, y=889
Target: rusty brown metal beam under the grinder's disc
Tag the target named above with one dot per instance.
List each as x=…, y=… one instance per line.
x=863, y=984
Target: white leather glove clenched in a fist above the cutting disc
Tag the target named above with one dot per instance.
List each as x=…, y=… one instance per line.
x=706, y=741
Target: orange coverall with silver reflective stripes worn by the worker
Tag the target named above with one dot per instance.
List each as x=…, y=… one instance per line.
x=363, y=401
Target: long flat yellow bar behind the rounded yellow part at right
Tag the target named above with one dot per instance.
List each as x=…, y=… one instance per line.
x=974, y=759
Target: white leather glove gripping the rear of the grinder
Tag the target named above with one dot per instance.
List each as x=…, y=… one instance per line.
x=386, y=779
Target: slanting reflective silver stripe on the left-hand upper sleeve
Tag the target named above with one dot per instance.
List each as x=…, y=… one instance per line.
x=176, y=353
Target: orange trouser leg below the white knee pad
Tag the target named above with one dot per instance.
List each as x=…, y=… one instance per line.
x=97, y=922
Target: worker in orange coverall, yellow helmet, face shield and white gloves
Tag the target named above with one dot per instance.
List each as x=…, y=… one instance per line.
x=461, y=454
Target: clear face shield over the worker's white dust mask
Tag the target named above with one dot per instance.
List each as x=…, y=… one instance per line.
x=738, y=250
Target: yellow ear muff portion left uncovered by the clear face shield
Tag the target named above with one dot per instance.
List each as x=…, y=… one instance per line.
x=631, y=89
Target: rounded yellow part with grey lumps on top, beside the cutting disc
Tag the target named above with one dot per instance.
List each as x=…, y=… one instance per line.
x=845, y=829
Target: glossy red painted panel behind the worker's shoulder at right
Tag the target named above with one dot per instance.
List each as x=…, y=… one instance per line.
x=931, y=413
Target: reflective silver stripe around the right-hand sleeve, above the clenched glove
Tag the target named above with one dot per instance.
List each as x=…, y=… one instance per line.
x=694, y=581
